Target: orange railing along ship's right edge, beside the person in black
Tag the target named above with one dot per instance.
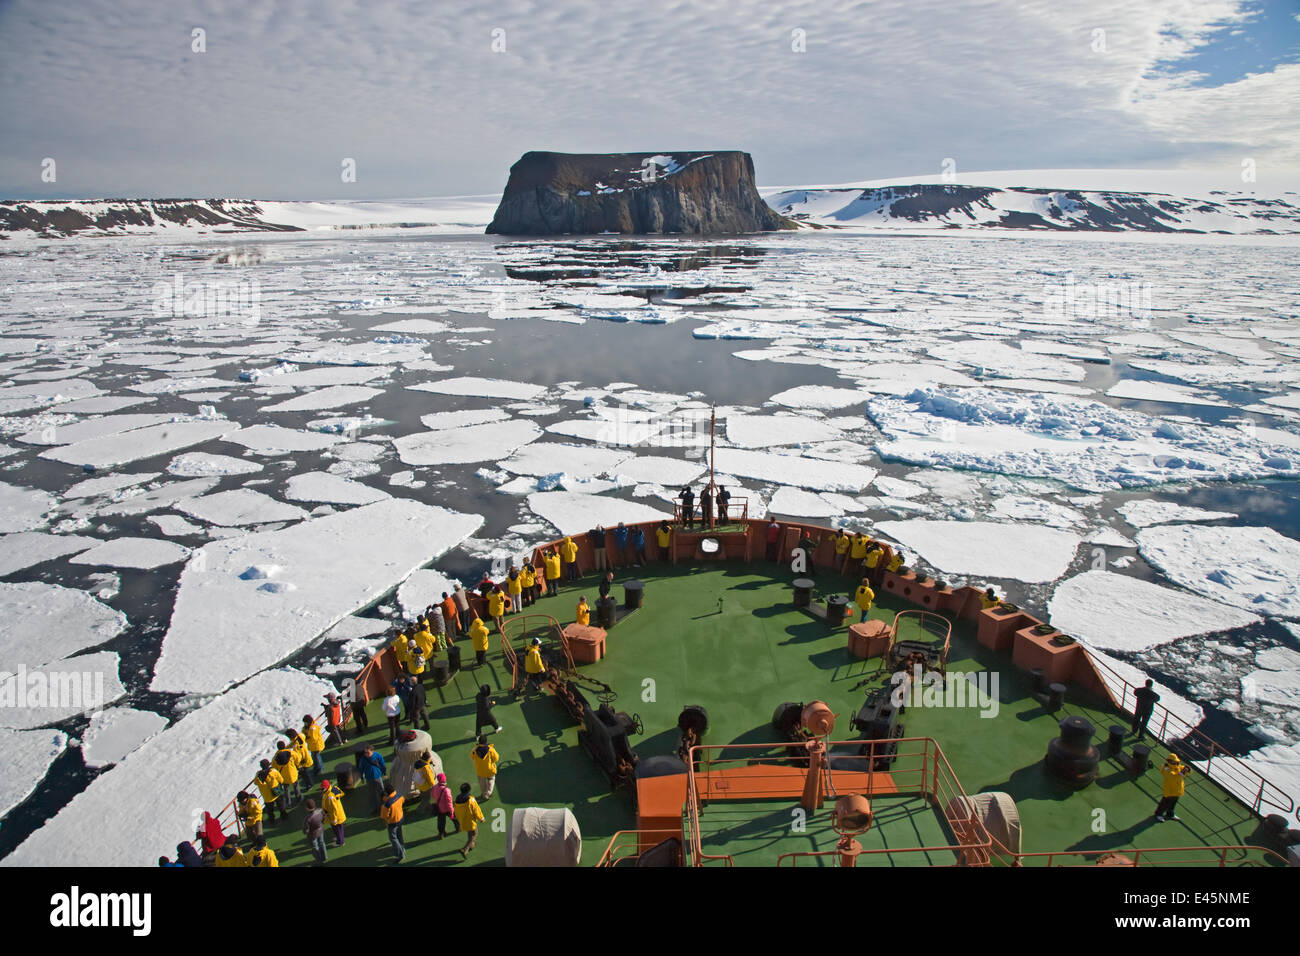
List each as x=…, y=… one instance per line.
x=1220, y=764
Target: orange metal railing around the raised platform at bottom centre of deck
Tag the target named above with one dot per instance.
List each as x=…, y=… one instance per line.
x=918, y=768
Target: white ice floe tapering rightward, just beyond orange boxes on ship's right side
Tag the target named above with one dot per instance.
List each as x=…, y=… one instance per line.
x=1120, y=613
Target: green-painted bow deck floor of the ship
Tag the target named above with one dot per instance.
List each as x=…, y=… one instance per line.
x=727, y=638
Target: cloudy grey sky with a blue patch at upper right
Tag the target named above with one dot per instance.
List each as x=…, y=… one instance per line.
x=440, y=97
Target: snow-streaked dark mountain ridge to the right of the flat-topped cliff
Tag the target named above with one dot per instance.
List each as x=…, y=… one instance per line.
x=954, y=206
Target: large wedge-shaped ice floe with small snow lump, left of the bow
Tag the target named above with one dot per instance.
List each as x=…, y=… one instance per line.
x=337, y=565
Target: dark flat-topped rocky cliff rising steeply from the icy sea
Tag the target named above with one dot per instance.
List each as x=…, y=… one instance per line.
x=634, y=193
